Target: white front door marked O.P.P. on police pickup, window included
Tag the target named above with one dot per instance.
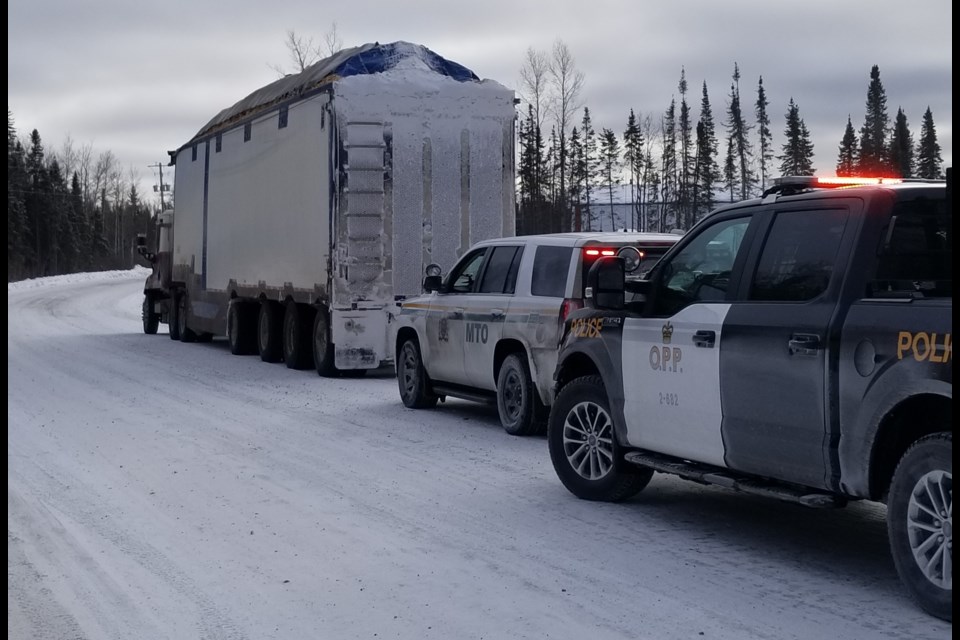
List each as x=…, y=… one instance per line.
x=671, y=357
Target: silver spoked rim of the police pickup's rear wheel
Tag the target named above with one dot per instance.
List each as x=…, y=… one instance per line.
x=930, y=527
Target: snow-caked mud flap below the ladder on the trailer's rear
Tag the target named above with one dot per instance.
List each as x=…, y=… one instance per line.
x=359, y=338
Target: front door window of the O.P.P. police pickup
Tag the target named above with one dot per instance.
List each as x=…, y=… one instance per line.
x=700, y=272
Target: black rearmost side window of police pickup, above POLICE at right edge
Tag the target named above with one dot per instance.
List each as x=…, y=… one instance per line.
x=916, y=257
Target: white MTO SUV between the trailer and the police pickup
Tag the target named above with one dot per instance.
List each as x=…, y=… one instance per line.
x=490, y=330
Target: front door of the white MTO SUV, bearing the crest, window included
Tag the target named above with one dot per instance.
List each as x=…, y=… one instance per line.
x=445, y=326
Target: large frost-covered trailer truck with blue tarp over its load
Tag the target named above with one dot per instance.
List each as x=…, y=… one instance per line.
x=306, y=210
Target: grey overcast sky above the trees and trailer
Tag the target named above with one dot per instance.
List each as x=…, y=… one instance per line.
x=139, y=79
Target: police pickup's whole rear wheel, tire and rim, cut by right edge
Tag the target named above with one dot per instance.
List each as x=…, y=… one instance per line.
x=920, y=523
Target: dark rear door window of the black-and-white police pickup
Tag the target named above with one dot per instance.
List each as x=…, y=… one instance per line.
x=798, y=256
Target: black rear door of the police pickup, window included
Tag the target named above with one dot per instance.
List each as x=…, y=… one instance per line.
x=774, y=373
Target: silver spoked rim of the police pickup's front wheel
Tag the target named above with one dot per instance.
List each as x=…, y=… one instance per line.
x=588, y=440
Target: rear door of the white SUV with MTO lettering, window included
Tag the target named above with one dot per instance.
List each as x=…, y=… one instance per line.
x=485, y=312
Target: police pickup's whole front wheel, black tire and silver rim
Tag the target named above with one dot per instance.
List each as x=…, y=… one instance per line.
x=584, y=448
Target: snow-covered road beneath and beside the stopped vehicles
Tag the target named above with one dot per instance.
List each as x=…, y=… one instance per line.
x=166, y=490
